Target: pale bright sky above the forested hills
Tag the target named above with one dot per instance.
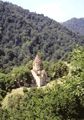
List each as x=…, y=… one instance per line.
x=59, y=10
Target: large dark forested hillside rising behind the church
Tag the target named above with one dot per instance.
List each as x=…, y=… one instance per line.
x=23, y=34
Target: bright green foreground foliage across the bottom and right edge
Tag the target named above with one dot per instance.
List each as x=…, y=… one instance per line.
x=61, y=102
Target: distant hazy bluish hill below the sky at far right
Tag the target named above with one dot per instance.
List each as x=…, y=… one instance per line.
x=76, y=25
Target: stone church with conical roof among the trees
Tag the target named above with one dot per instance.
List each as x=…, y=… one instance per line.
x=40, y=76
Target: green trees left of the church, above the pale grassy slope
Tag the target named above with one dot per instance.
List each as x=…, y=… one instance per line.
x=16, y=78
